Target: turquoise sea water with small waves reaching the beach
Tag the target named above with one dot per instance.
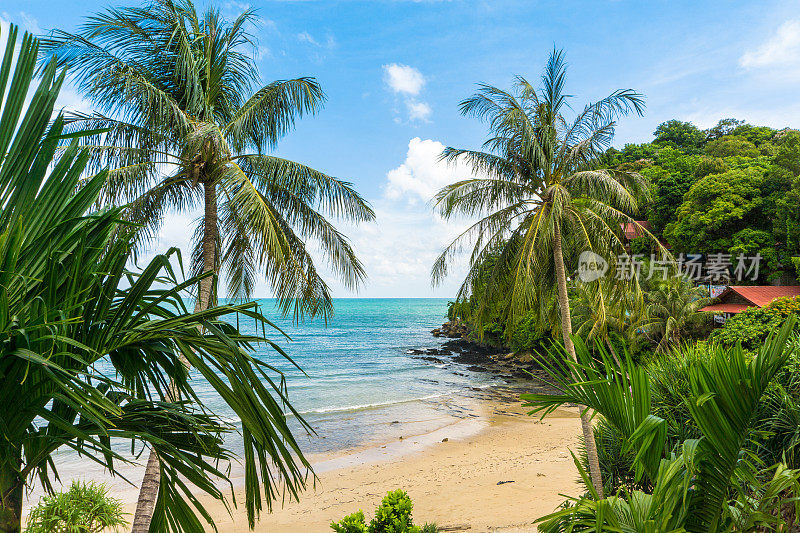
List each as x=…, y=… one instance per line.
x=360, y=384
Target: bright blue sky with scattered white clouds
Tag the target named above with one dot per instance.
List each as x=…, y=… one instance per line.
x=394, y=72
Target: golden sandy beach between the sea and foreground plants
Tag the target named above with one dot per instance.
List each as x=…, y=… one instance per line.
x=455, y=483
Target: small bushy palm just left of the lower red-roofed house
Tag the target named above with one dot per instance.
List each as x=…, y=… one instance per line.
x=673, y=304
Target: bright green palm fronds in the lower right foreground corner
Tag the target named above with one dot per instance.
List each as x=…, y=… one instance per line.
x=707, y=482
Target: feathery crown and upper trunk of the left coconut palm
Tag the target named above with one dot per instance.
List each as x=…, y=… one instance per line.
x=185, y=122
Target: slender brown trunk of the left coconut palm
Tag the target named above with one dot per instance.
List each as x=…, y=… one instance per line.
x=148, y=491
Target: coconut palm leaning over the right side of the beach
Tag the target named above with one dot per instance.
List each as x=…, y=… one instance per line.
x=540, y=191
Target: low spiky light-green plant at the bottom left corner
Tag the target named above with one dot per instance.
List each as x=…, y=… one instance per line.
x=84, y=508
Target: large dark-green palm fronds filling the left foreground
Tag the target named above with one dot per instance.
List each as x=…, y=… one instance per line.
x=69, y=309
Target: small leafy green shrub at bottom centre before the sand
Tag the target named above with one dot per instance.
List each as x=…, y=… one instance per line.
x=393, y=515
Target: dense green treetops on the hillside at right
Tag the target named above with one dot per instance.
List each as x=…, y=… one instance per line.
x=729, y=189
